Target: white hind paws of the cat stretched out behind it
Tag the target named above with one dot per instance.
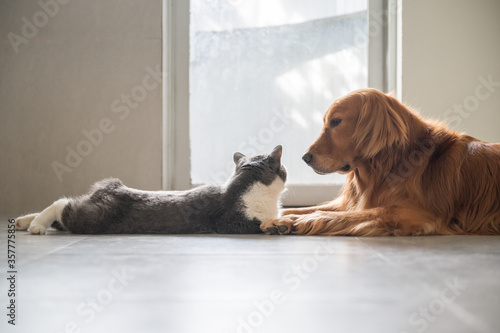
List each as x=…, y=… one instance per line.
x=38, y=223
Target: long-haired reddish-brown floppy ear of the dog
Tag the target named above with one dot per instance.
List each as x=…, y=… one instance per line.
x=381, y=125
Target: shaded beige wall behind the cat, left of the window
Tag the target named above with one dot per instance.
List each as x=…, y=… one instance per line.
x=62, y=81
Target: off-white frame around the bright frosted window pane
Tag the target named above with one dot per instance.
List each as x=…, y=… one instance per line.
x=176, y=168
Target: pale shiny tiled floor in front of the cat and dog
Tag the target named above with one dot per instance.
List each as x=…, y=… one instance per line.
x=217, y=283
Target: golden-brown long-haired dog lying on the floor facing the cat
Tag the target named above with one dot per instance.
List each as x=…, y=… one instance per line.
x=407, y=175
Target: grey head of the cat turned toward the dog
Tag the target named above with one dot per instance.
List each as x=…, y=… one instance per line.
x=263, y=168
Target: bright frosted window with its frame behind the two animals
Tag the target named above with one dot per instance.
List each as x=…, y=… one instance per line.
x=262, y=73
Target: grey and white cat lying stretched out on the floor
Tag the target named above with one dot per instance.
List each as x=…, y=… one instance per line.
x=249, y=197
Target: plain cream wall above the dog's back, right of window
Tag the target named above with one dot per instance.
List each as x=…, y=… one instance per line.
x=447, y=46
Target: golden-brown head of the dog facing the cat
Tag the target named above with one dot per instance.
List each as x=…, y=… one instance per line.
x=357, y=127
